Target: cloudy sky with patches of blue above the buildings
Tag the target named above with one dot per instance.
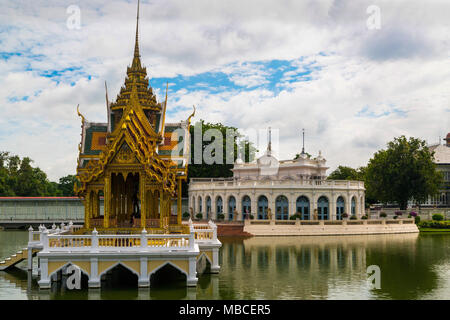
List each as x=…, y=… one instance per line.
x=289, y=64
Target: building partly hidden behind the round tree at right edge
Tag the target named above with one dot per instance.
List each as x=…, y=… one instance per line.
x=442, y=160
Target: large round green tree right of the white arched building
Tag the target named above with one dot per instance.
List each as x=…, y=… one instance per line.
x=402, y=172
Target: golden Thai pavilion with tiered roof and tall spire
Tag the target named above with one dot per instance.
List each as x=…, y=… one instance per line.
x=135, y=160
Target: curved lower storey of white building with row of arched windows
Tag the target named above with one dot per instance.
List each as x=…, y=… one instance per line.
x=276, y=203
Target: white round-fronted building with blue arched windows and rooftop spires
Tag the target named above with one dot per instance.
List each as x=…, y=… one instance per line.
x=270, y=187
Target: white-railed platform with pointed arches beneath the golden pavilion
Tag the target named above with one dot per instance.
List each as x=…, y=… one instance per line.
x=144, y=254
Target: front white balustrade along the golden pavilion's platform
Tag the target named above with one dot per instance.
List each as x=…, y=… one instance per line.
x=114, y=243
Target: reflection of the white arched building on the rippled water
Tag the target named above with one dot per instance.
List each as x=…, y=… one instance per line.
x=301, y=267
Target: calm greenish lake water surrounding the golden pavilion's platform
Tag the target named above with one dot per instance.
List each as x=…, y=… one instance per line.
x=412, y=267
